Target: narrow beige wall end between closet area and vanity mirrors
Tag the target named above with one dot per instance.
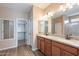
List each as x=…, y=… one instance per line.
x=37, y=13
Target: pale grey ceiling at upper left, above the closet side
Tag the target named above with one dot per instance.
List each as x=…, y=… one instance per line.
x=17, y=7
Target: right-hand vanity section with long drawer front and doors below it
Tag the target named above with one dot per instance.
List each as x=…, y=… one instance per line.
x=63, y=49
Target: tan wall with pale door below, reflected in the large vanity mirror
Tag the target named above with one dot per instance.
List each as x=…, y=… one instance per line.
x=59, y=25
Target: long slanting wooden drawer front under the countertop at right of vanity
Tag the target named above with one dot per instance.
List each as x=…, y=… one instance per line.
x=65, y=47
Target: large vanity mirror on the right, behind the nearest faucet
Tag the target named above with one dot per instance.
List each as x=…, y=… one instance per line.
x=66, y=23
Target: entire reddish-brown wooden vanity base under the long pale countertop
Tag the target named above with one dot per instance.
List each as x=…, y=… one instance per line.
x=54, y=48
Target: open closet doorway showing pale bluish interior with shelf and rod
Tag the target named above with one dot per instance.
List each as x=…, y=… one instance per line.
x=21, y=32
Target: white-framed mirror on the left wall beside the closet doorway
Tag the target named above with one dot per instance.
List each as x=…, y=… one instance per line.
x=6, y=29
